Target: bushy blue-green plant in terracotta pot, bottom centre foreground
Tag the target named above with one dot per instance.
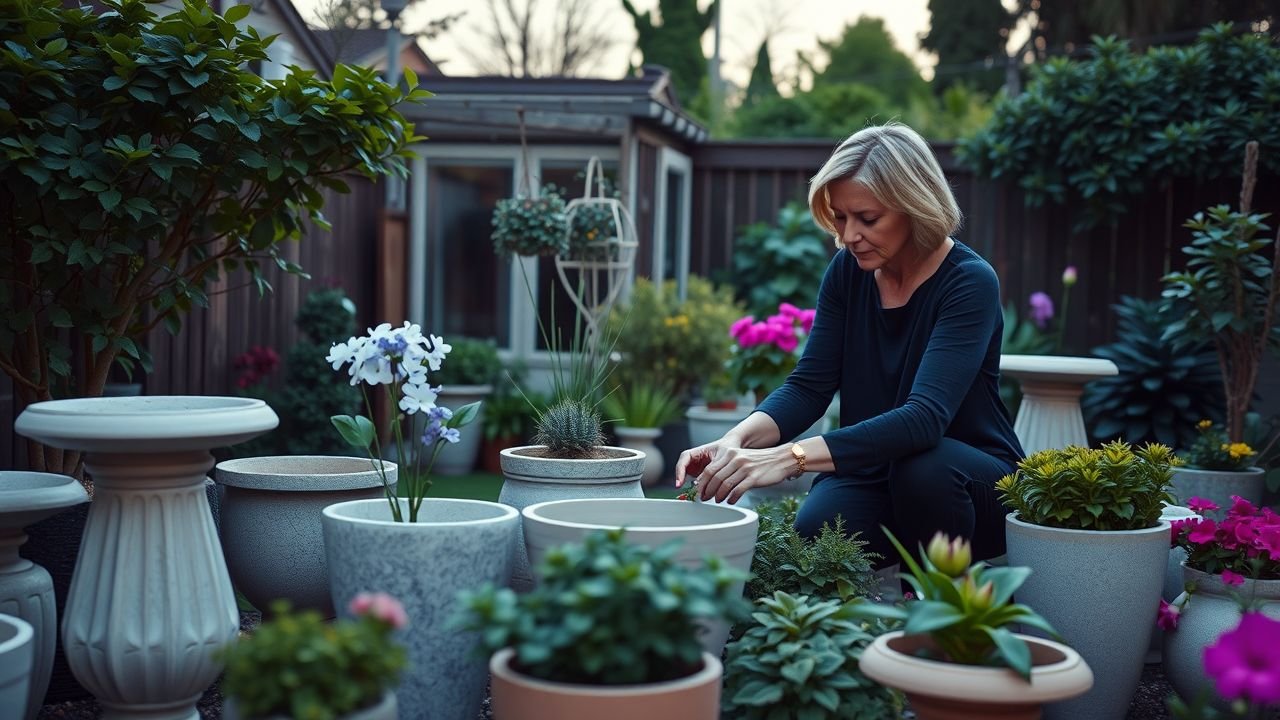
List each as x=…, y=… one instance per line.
x=610, y=632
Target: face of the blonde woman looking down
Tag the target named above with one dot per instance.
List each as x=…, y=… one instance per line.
x=875, y=235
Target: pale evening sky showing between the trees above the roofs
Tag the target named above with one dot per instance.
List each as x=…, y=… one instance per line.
x=796, y=25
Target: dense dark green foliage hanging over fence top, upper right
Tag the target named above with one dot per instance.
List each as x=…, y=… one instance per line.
x=1116, y=125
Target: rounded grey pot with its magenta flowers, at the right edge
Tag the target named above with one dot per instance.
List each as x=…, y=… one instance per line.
x=1232, y=557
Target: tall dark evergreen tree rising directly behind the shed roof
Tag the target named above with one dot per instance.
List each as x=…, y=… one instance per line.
x=676, y=44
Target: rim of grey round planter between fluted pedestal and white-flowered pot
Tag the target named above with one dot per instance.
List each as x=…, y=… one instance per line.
x=291, y=473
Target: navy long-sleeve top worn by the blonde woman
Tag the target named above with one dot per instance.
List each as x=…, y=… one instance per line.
x=907, y=376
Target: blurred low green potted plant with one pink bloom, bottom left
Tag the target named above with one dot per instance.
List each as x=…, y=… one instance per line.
x=299, y=667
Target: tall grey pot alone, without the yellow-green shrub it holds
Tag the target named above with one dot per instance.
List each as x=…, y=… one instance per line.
x=1100, y=590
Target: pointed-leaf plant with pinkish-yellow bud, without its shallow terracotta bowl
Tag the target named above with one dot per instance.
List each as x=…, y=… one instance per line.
x=967, y=610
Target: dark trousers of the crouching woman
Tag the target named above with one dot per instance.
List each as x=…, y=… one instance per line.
x=949, y=489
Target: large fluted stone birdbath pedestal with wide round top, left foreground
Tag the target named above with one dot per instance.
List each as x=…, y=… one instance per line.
x=150, y=601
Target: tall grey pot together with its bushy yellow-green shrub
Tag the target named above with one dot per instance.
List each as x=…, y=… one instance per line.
x=1089, y=522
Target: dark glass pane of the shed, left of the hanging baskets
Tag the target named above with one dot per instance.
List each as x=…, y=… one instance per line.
x=469, y=293
